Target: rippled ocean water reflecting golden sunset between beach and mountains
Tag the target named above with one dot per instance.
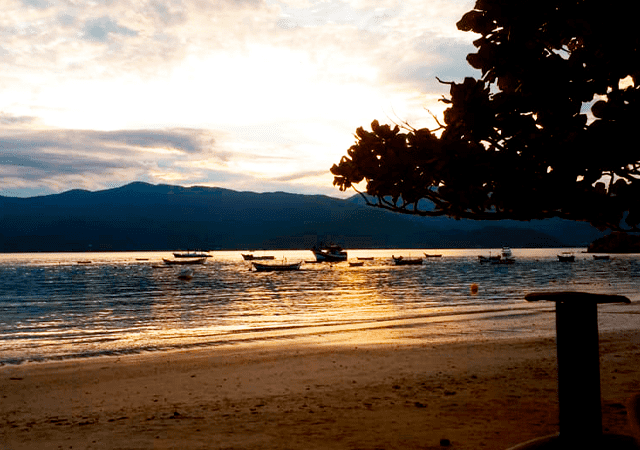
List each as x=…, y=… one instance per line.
x=60, y=306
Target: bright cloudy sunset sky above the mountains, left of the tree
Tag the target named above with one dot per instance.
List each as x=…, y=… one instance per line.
x=250, y=95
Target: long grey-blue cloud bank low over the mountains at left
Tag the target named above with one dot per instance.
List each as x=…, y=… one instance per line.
x=44, y=156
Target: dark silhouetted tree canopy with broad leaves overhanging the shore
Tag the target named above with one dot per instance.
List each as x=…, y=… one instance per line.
x=547, y=131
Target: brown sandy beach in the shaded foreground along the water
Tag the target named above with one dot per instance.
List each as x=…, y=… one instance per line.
x=479, y=395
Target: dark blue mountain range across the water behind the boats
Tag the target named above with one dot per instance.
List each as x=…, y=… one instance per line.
x=141, y=216
